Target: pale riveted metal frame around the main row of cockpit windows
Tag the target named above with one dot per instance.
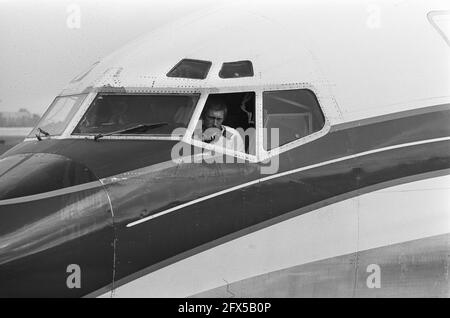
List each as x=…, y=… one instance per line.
x=260, y=155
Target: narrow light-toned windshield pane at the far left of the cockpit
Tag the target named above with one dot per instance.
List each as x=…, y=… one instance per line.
x=58, y=115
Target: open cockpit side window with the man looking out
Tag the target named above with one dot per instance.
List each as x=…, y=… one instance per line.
x=228, y=121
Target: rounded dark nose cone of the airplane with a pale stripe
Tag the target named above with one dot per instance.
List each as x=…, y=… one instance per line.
x=54, y=212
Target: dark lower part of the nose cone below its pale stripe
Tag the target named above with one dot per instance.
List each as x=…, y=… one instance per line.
x=41, y=238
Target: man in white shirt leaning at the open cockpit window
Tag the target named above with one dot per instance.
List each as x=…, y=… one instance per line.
x=216, y=133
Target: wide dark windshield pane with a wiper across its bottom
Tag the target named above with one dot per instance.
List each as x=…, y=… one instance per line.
x=158, y=114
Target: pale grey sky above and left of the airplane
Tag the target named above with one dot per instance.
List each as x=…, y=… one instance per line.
x=46, y=43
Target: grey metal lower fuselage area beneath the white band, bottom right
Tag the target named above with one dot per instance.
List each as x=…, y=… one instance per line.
x=415, y=268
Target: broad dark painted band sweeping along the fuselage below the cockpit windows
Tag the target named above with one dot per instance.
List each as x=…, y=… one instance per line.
x=156, y=184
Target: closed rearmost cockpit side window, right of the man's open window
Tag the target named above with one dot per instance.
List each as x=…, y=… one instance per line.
x=290, y=115
